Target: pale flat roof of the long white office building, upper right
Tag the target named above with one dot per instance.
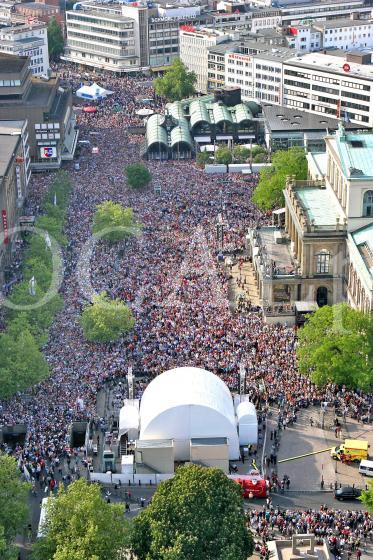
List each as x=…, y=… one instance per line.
x=331, y=63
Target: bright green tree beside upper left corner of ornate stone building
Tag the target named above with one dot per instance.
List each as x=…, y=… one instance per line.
x=268, y=193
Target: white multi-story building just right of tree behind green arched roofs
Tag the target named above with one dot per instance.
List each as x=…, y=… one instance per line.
x=194, y=48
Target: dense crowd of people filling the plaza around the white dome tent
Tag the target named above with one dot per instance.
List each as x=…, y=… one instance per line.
x=173, y=281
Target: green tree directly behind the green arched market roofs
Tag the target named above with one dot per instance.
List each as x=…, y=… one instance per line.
x=176, y=83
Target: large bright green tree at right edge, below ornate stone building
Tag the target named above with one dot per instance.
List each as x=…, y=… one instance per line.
x=334, y=347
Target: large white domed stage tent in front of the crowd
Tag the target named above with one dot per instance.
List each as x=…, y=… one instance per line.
x=186, y=403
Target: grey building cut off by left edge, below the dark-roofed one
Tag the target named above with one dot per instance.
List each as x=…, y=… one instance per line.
x=14, y=178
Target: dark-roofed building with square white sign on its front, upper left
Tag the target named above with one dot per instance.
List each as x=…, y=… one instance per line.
x=47, y=107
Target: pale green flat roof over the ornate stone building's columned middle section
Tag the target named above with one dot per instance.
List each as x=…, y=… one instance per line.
x=320, y=205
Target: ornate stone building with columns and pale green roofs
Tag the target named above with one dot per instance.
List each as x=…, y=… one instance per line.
x=324, y=253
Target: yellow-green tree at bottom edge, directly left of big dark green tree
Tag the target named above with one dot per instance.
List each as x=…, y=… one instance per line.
x=80, y=525
